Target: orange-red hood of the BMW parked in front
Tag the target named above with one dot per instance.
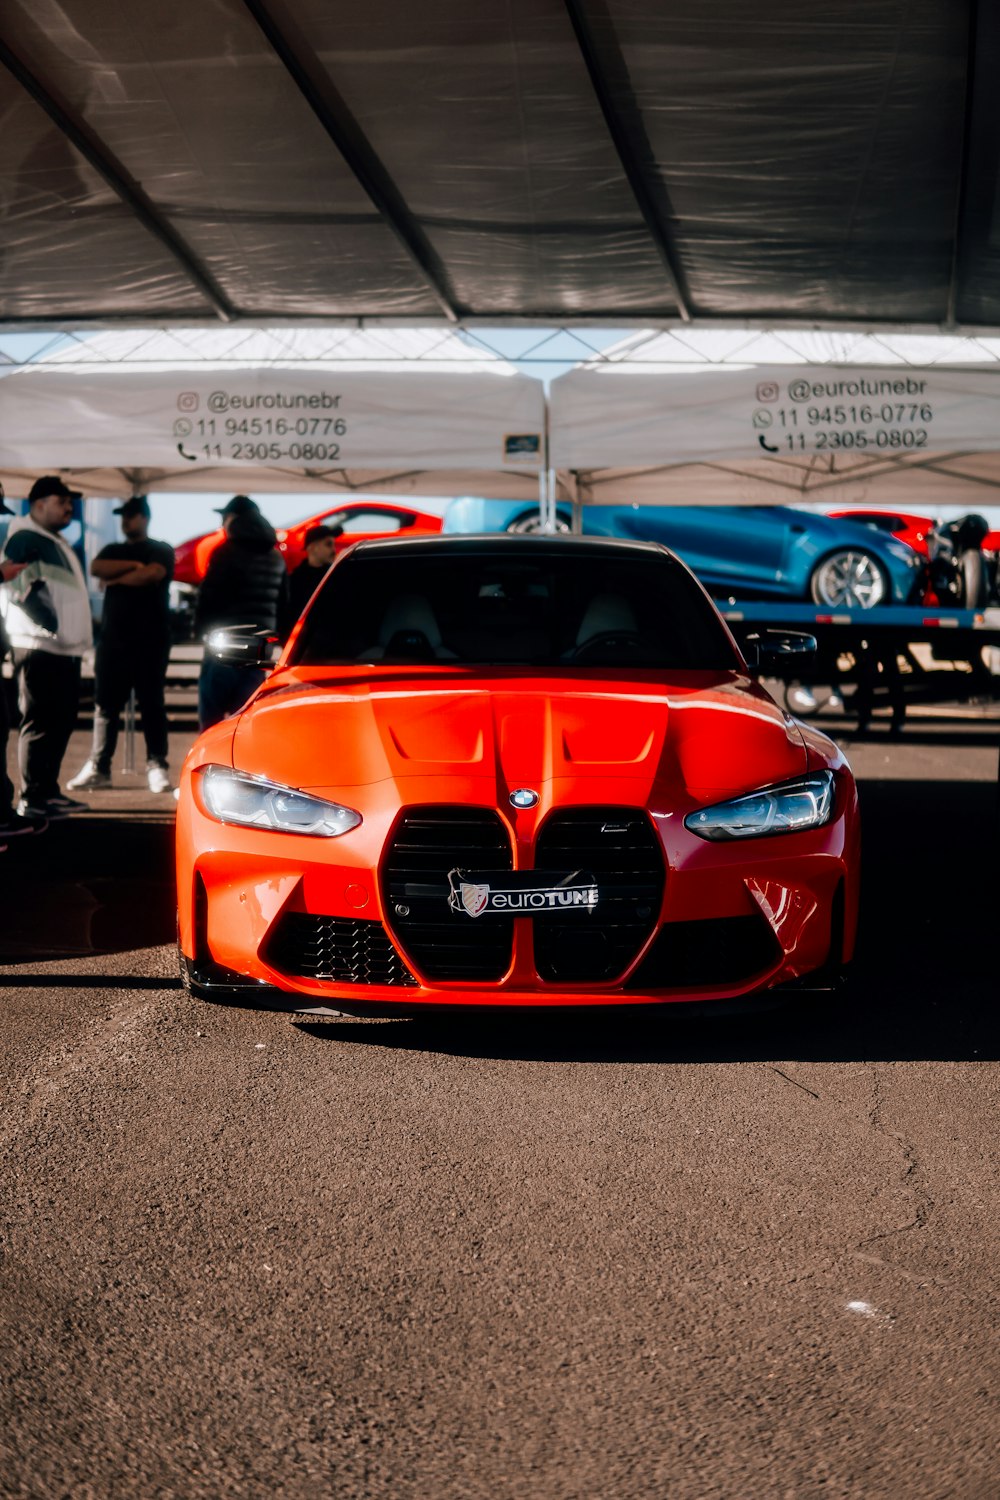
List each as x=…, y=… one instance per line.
x=710, y=736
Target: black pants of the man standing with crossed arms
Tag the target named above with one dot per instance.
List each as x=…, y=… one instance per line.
x=121, y=668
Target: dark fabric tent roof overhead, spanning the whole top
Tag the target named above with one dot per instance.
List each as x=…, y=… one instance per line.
x=534, y=160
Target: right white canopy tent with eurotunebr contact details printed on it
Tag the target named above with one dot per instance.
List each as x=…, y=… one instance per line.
x=741, y=418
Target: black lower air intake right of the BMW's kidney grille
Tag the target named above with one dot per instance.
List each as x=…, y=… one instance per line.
x=720, y=952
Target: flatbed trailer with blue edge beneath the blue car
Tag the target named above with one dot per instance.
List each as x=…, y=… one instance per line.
x=875, y=653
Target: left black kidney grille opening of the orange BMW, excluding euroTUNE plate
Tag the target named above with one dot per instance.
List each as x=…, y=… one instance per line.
x=428, y=844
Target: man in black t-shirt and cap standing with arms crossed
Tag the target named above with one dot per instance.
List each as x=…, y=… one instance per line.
x=134, y=647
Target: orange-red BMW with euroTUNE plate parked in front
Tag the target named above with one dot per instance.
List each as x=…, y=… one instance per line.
x=512, y=772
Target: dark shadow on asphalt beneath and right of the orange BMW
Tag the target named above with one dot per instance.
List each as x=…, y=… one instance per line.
x=924, y=983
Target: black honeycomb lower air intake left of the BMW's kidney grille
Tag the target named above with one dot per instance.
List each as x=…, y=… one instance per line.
x=341, y=949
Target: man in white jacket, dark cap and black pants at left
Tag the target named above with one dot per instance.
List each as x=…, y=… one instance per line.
x=47, y=614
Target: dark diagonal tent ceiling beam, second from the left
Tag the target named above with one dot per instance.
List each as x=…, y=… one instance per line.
x=323, y=98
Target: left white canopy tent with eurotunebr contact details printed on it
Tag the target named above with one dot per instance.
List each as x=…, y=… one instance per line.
x=391, y=412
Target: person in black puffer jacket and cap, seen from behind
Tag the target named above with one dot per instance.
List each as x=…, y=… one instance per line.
x=247, y=584
